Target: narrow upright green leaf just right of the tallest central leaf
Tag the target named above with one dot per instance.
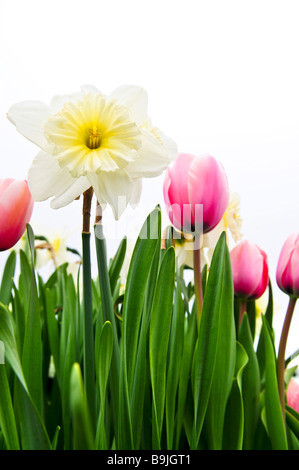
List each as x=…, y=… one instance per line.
x=159, y=339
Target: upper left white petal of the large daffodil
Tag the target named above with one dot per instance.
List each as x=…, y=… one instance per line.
x=29, y=117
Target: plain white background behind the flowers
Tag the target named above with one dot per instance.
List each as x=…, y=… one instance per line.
x=222, y=78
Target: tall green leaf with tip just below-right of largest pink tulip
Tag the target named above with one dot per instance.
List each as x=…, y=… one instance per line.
x=205, y=353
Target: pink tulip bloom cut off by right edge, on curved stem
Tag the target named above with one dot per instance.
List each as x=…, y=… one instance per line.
x=287, y=273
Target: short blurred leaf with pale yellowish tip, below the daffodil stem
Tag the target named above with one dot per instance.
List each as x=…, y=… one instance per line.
x=82, y=428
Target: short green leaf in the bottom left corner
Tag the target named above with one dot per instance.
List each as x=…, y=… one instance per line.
x=7, y=417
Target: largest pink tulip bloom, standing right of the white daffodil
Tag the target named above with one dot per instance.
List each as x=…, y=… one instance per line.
x=191, y=182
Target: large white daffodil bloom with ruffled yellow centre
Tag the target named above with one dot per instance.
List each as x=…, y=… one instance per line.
x=88, y=139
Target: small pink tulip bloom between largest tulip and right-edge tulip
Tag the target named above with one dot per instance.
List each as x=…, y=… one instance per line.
x=250, y=270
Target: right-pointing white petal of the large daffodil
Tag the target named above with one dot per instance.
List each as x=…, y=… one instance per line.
x=152, y=158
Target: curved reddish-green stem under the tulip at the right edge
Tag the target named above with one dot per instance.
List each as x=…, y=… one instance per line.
x=281, y=352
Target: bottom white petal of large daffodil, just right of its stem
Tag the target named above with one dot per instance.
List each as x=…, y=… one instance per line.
x=114, y=188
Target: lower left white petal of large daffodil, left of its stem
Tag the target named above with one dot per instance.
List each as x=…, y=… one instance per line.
x=47, y=179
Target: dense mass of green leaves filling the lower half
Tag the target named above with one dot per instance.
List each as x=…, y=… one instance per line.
x=127, y=367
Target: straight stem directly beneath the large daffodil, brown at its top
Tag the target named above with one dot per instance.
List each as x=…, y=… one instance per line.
x=88, y=337
